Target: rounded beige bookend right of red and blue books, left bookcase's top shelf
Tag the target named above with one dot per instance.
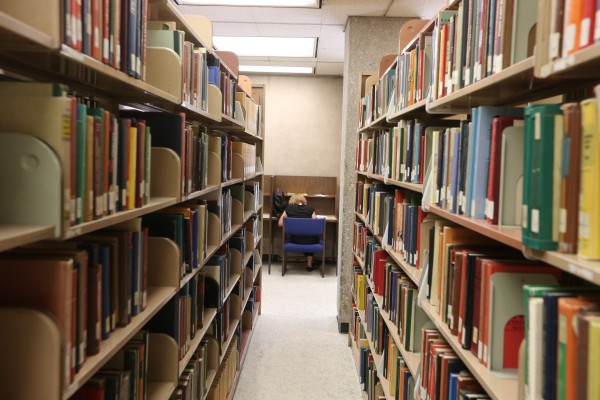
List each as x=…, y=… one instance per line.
x=164, y=71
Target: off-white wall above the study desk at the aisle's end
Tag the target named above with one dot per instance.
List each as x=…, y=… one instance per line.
x=303, y=124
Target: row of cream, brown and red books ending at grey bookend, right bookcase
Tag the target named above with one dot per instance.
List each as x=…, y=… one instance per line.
x=475, y=286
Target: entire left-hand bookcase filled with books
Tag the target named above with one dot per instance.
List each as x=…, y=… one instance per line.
x=41, y=216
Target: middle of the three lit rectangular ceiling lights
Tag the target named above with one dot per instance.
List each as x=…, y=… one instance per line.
x=267, y=46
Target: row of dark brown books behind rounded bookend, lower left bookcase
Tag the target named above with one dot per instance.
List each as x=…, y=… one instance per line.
x=91, y=285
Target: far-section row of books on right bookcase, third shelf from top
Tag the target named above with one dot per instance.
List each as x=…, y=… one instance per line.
x=394, y=215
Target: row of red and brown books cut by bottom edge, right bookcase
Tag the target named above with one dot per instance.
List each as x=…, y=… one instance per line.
x=443, y=373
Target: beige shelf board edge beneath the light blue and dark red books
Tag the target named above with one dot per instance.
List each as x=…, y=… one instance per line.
x=509, y=235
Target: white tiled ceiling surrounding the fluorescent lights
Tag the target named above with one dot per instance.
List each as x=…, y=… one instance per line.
x=327, y=24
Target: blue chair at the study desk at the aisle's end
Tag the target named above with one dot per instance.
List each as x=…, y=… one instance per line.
x=303, y=227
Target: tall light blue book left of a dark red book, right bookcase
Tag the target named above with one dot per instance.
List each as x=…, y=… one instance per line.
x=482, y=131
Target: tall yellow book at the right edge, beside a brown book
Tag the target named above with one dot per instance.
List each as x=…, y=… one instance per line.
x=589, y=192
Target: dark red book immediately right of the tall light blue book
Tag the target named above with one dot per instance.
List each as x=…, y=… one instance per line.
x=492, y=204
